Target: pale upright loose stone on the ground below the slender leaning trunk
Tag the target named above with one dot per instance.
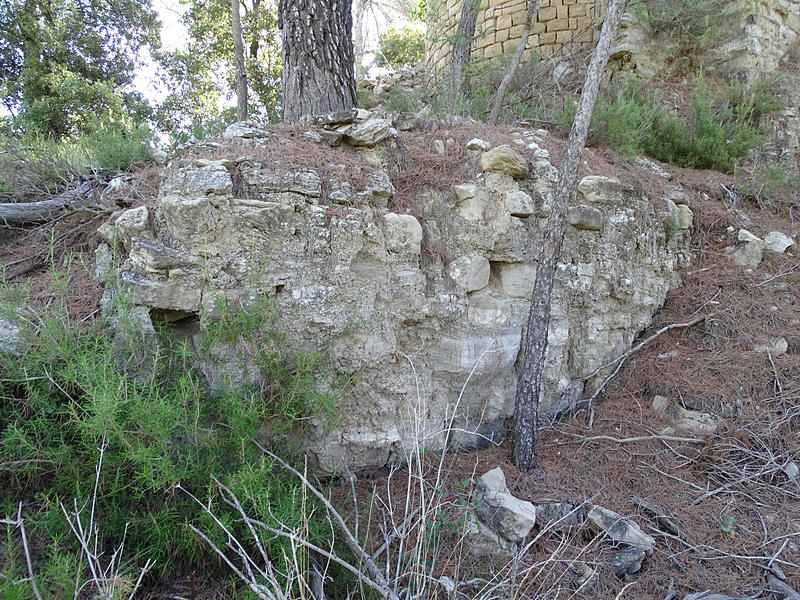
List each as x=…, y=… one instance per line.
x=509, y=517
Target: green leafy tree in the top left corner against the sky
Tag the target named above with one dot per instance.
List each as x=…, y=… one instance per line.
x=67, y=67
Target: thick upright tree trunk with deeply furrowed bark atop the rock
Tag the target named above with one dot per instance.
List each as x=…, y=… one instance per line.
x=318, y=73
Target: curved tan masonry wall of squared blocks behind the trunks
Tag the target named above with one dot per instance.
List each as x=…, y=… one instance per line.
x=500, y=23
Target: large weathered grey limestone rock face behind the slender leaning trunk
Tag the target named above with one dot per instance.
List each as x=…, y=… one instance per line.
x=411, y=309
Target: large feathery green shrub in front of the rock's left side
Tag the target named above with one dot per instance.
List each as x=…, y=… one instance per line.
x=67, y=396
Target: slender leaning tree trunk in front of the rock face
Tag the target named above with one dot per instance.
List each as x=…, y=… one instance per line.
x=533, y=353
